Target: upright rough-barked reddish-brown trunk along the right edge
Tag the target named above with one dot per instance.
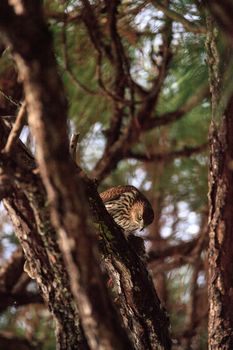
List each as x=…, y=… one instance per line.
x=221, y=210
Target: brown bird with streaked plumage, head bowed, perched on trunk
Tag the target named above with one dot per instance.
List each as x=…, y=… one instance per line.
x=129, y=208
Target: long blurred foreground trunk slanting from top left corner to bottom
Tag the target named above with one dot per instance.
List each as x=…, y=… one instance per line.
x=46, y=102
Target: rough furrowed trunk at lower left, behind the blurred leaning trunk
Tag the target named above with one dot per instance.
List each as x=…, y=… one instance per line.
x=28, y=210
